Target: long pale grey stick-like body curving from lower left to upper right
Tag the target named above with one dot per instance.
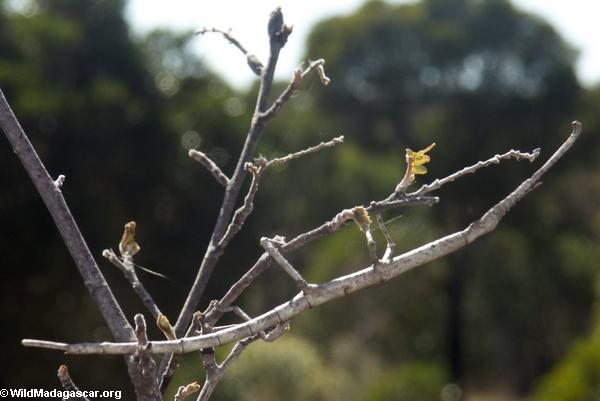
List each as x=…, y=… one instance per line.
x=340, y=286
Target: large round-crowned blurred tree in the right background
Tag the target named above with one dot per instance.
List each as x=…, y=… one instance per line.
x=472, y=76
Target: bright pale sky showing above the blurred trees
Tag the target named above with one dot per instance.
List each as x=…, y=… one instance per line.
x=577, y=20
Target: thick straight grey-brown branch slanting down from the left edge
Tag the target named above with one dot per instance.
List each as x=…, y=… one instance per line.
x=64, y=221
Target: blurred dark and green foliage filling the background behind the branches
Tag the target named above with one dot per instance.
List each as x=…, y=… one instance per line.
x=116, y=114
